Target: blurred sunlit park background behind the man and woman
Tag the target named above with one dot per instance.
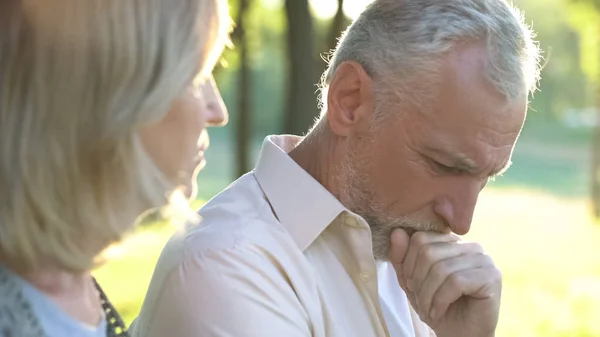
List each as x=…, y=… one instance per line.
x=538, y=221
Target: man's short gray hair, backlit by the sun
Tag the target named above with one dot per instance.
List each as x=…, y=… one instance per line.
x=400, y=42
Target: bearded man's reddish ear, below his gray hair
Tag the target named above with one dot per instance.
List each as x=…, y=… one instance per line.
x=350, y=102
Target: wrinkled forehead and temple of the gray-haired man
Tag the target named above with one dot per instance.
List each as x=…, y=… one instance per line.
x=470, y=118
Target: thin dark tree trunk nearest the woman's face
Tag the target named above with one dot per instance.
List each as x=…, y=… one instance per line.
x=244, y=128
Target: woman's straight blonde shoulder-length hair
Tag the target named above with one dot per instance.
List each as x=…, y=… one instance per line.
x=78, y=80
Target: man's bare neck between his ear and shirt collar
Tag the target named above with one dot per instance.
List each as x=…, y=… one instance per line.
x=320, y=159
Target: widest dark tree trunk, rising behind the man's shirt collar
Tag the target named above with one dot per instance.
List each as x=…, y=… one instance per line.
x=302, y=102
